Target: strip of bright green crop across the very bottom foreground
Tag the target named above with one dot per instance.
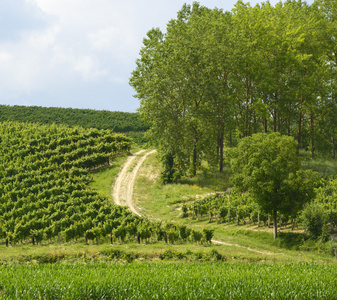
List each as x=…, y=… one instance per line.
x=169, y=281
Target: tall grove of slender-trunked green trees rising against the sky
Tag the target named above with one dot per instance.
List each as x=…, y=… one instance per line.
x=215, y=77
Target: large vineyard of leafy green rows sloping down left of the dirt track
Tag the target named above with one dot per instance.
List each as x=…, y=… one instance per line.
x=45, y=172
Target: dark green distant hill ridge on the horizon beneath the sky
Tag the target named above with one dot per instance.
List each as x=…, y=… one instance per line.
x=87, y=118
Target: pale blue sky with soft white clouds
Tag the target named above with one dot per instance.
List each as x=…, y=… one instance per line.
x=78, y=53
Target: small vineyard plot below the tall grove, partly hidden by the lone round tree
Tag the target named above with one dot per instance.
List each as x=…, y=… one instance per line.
x=240, y=208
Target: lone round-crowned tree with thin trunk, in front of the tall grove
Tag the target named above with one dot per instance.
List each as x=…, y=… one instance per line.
x=268, y=167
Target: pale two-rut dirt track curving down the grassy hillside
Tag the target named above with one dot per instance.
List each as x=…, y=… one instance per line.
x=122, y=192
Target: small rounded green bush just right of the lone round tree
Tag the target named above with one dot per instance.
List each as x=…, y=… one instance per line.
x=314, y=218
